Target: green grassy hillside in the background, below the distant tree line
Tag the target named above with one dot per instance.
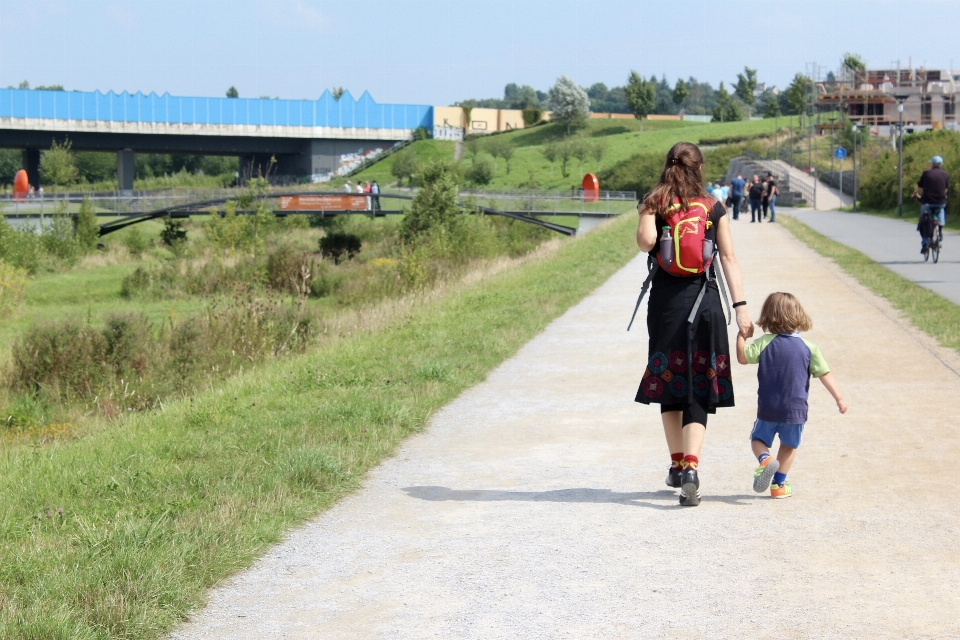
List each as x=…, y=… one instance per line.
x=622, y=139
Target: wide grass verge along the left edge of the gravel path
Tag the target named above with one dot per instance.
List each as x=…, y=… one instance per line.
x=118, y=533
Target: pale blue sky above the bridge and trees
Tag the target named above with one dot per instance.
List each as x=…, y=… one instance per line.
x=437, y=52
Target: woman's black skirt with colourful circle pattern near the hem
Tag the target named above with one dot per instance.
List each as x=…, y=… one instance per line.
x=686, y=362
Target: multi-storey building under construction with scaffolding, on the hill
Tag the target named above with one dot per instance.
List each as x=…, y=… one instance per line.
x=870, y=96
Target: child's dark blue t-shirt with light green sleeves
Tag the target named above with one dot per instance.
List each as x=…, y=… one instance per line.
x=786, y=363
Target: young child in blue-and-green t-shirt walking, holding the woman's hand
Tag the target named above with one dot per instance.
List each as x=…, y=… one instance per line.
x=786, y=363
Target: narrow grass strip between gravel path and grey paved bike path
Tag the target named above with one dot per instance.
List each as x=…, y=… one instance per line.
x=928, y=311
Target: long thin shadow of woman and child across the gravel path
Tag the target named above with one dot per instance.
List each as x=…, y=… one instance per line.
x=666, y=498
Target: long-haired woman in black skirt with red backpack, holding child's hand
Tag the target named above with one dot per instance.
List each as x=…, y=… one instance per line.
x=688, y=365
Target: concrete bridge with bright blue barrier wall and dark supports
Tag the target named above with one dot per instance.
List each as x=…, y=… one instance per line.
x=307, y=137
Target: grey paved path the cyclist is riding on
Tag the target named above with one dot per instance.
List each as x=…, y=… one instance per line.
x=893, y=243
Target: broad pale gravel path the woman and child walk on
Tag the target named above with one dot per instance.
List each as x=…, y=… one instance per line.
x=534, y=506
